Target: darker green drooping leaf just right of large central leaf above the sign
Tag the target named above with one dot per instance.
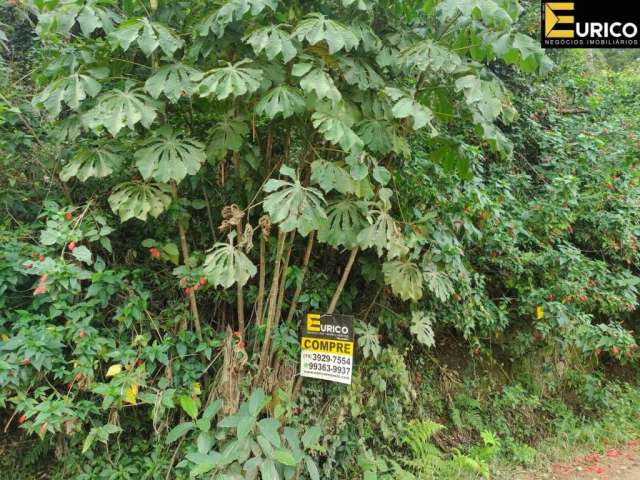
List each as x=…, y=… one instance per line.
x=345, y=219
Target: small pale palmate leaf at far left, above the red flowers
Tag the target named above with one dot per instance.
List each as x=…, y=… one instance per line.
x=95, y=161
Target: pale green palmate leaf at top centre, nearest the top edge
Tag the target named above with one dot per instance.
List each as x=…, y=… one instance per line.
x=316, y=28
